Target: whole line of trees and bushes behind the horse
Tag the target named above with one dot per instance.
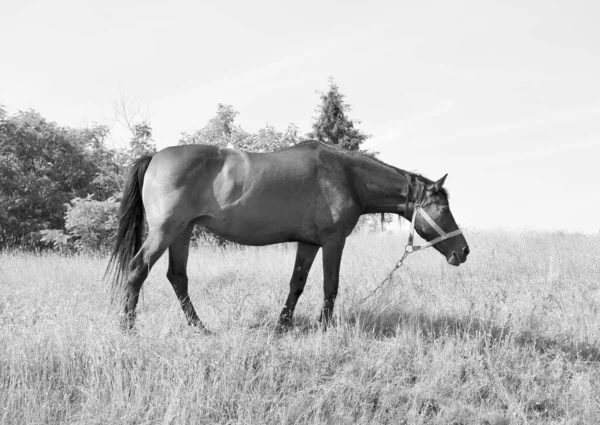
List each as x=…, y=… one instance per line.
x=60, y=186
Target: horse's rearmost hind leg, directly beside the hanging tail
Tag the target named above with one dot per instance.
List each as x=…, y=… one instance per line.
x=158, y=240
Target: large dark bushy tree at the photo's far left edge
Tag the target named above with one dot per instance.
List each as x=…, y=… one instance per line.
x=42, y=167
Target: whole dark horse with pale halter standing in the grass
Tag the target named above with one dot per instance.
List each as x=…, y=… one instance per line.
x=311, y=193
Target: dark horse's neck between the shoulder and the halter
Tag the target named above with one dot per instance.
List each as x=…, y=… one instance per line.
x=383, y=188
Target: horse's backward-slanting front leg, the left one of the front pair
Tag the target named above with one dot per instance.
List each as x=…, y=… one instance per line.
x=305, y=255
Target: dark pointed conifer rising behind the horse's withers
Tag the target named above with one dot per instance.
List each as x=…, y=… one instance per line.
x=333, y=126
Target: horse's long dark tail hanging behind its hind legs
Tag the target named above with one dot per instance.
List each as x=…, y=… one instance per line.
x=130, y=229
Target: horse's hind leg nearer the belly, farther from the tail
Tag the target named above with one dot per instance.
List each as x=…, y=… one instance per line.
x=177, y=274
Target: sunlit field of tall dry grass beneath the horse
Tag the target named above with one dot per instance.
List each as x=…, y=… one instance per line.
x=510, y=337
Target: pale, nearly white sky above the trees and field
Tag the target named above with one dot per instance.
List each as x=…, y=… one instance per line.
x=502, y=96
